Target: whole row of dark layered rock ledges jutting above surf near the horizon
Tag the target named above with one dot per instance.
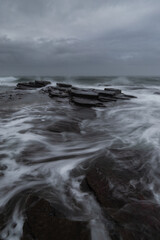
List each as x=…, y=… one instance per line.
x=85, y=97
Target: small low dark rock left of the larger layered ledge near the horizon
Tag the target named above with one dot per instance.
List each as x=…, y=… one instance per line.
x=32, y=85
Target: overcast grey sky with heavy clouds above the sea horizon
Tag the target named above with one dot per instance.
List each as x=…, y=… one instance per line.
x=77, y=37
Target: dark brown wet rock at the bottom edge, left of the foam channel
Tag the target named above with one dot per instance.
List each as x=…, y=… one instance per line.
x=43, y=223
